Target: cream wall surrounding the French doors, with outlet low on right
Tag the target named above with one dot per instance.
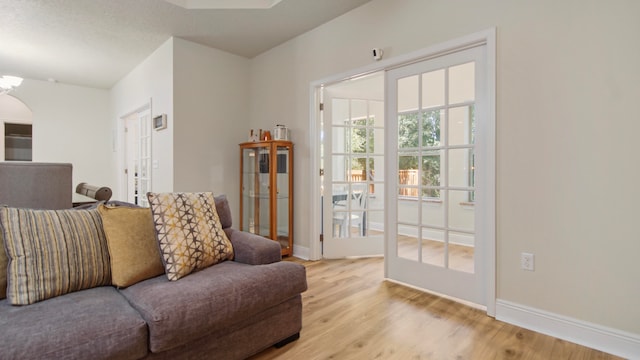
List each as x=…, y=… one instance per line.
x=566, y=126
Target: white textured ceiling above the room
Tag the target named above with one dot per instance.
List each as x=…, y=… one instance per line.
x=97, y=42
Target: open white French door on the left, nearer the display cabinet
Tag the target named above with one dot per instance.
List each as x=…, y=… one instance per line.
x=353, y=159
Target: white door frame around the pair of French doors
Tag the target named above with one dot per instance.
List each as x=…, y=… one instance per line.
x=487, y=38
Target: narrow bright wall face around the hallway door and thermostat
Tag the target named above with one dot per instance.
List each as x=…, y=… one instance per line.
x=151, y=80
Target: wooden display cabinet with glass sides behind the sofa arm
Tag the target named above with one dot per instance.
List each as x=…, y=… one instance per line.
x=266, y=191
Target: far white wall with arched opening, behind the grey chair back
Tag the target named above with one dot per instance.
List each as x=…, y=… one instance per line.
x=71, y=125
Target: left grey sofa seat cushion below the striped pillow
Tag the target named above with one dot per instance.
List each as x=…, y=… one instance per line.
x=90, y=324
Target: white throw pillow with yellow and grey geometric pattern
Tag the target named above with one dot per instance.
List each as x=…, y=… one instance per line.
x=189, y=232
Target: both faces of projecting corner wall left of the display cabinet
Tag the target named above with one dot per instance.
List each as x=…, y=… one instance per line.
x=204, y=93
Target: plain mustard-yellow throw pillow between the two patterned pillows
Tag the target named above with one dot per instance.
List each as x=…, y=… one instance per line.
x=132, y=244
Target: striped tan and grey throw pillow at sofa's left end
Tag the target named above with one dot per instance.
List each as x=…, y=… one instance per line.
x=53, y=252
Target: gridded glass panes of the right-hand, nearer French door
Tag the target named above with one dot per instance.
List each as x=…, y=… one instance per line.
x=435, y=171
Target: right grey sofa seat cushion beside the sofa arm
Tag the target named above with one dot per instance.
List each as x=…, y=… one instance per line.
x=211, y=299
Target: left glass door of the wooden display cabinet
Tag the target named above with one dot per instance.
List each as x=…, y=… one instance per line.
x=255, y=191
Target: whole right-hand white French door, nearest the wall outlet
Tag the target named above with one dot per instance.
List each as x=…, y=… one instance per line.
x=436, y=109
